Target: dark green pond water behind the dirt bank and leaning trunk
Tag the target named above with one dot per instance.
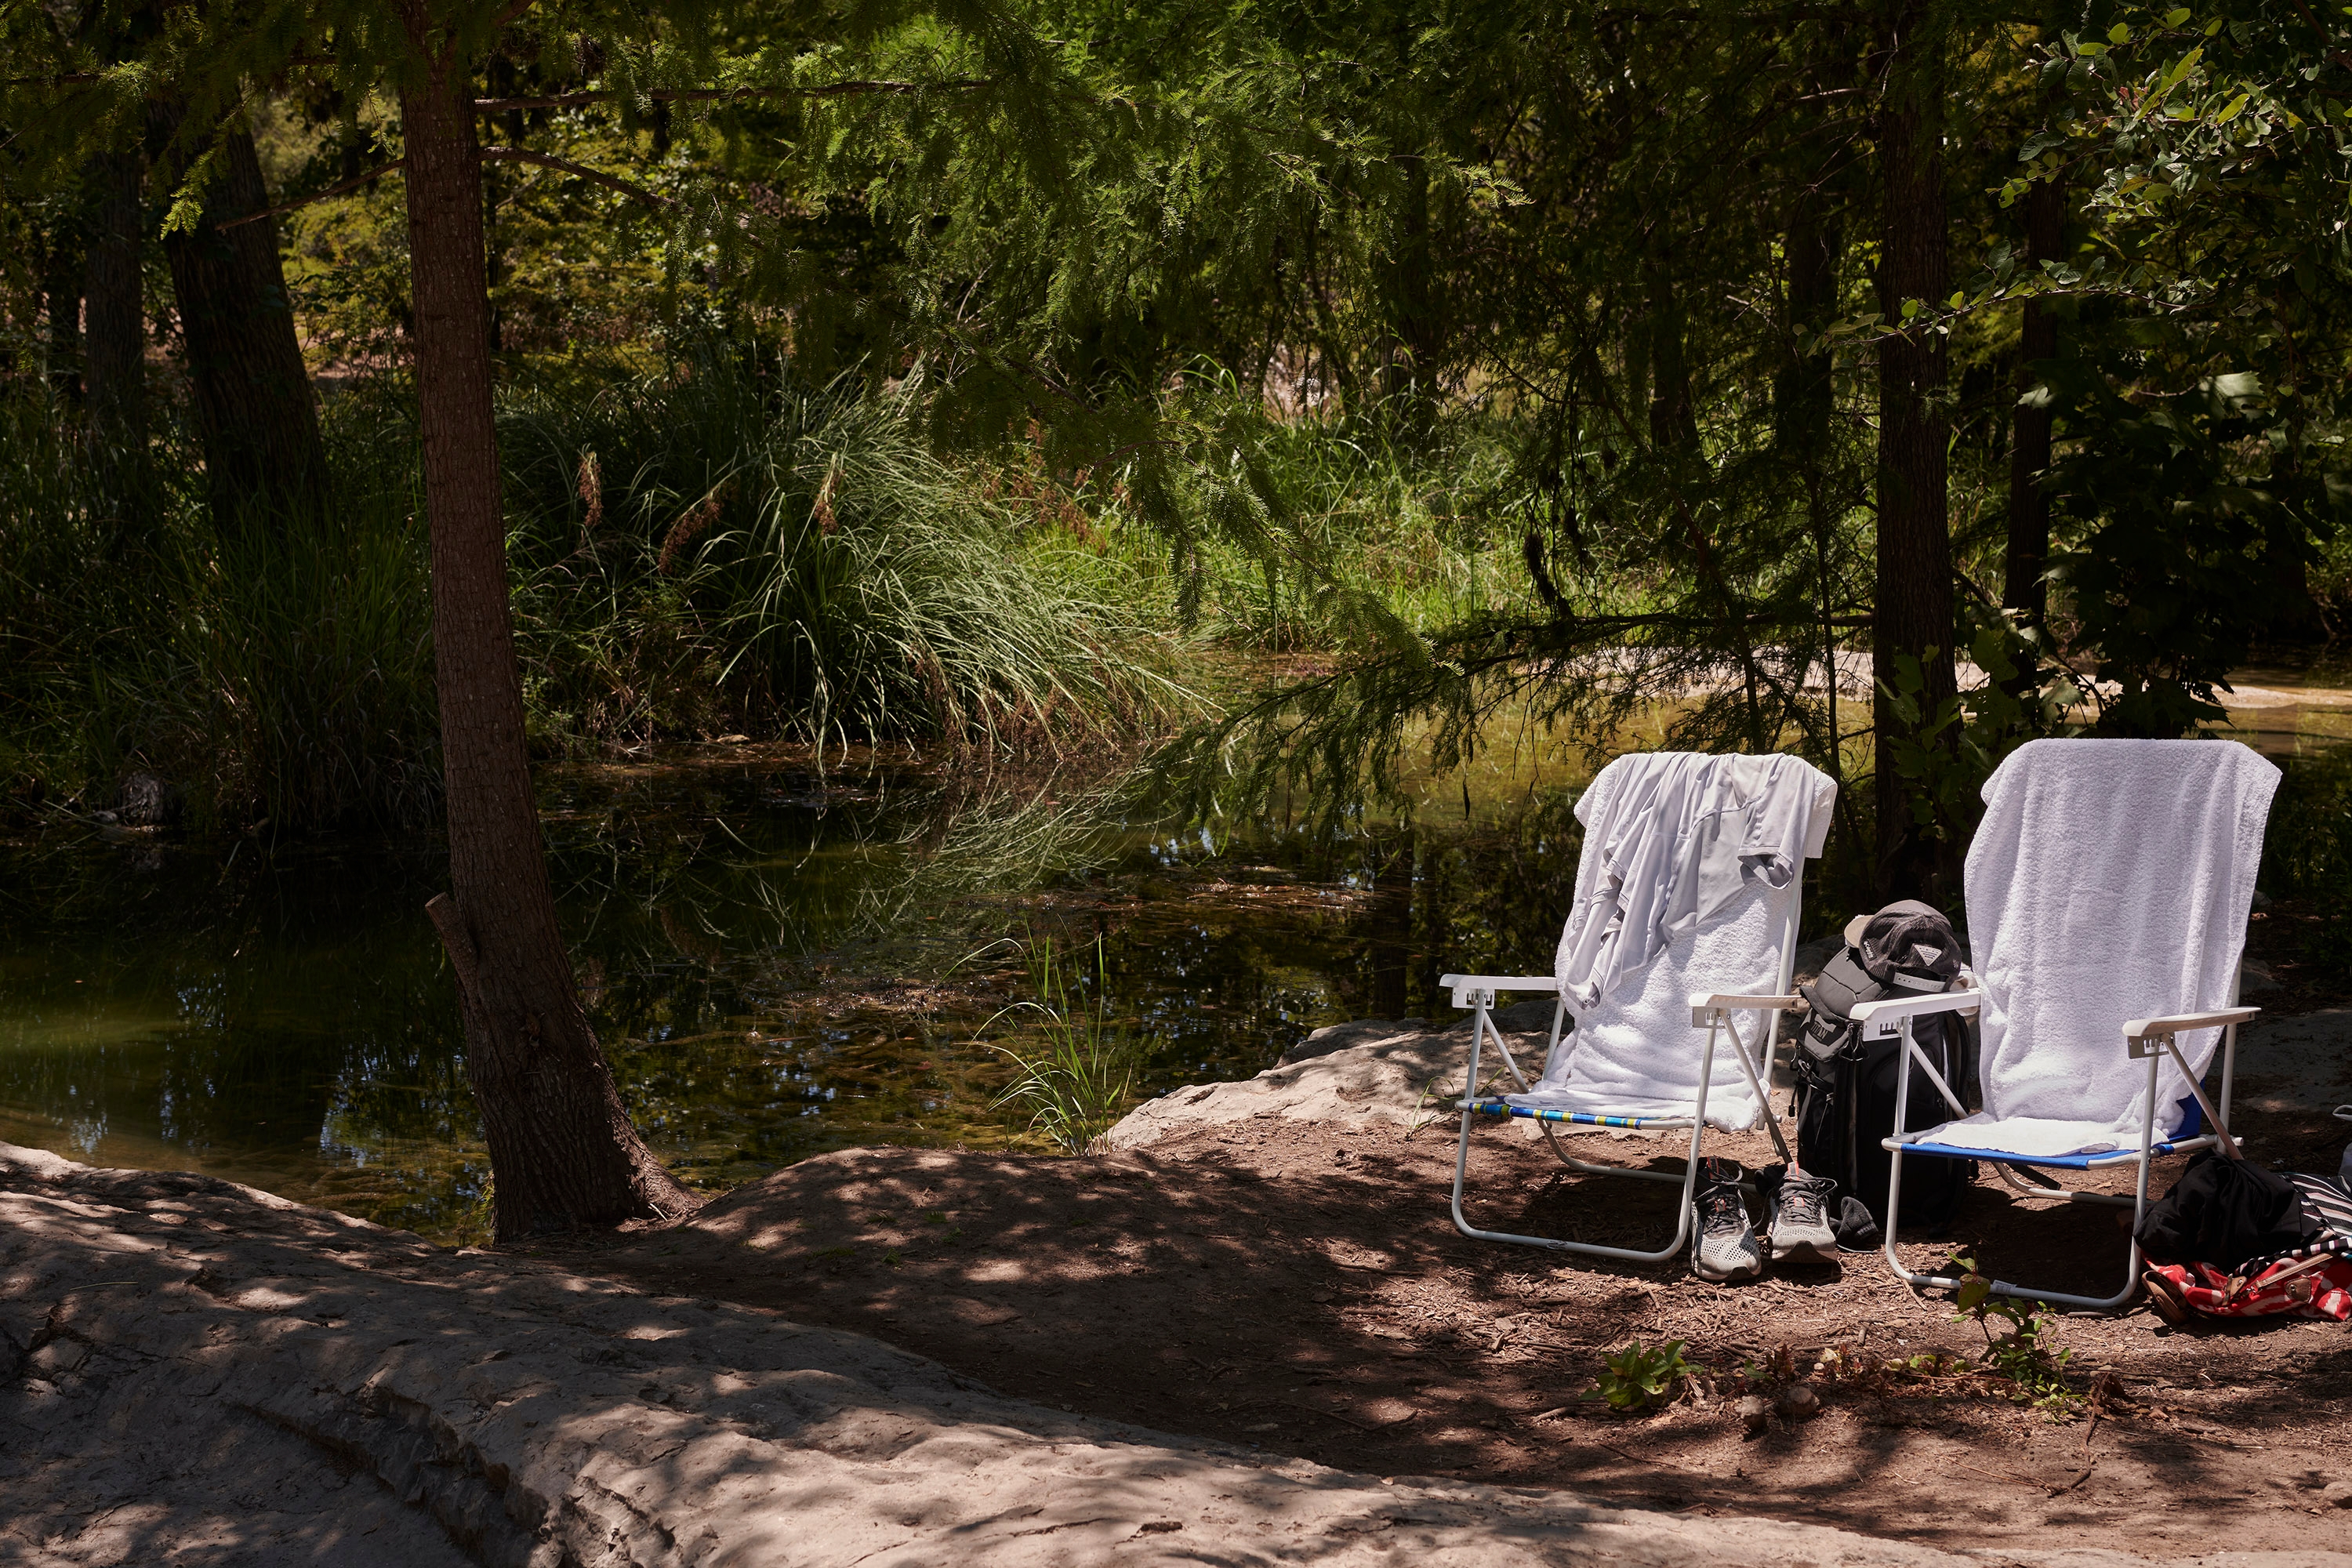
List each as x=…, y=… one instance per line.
x=777, y=963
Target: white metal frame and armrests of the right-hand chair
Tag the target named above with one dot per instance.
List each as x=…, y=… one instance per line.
x=2144, y=1040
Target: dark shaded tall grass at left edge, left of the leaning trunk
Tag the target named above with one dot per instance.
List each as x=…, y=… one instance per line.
x=269, y=669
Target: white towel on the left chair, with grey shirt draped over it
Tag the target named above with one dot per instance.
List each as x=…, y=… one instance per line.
x=1688, y=885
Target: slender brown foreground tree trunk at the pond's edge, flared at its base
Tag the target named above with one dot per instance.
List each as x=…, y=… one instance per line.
x=561, y=1144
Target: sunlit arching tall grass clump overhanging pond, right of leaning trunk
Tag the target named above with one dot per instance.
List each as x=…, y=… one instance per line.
x=719, y=544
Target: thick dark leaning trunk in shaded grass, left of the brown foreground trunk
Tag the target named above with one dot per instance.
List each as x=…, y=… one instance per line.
x=253, y=401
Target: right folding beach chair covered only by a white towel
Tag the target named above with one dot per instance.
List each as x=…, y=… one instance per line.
x=2109, y=892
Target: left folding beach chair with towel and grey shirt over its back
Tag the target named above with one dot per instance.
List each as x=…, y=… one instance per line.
x=1641, y=1050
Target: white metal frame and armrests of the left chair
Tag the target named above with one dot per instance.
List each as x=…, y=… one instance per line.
x=1711, y=1012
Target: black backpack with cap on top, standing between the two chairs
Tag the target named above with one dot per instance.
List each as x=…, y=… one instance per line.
x=1847, y=1085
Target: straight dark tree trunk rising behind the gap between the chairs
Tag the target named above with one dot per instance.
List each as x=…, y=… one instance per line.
x=1913, y=608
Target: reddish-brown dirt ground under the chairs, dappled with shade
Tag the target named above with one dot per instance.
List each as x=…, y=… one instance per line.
x=1302, y=1289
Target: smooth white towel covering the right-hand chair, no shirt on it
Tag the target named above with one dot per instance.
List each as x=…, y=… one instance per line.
x=2111, y=880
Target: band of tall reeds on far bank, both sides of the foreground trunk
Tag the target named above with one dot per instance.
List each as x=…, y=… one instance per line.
x=695, y=551
